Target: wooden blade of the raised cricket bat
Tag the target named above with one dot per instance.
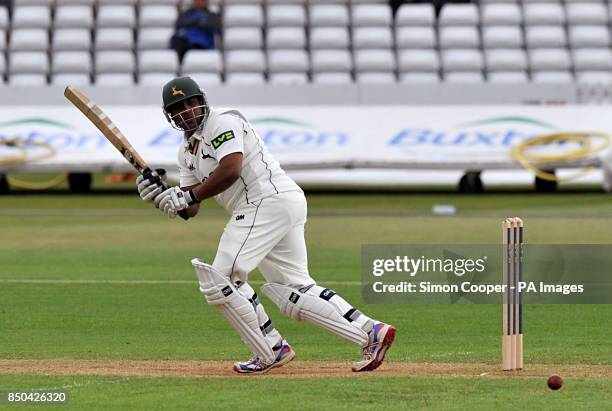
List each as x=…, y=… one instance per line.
x=103, y=123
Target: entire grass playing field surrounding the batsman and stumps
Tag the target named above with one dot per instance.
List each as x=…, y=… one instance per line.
x=106, y=278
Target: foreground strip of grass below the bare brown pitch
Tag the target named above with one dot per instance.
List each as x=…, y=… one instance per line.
x=360, y=393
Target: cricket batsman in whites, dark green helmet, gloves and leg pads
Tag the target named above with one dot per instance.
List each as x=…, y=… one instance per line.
x=223, y=157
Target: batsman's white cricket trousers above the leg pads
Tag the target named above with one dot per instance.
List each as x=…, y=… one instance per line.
x=269, y=235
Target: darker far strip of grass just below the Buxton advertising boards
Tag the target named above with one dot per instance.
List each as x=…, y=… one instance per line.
x=569, y=202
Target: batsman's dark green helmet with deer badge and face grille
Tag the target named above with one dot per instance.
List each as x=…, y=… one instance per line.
x=179, y=89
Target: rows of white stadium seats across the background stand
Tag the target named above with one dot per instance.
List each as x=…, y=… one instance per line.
x=319, y=41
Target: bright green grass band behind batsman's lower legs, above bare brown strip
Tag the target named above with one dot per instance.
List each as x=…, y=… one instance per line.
x=172, y=321
